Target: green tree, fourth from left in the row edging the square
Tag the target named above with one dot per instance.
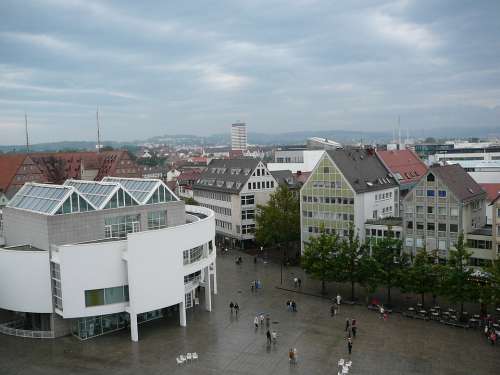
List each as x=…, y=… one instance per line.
x=424, y=275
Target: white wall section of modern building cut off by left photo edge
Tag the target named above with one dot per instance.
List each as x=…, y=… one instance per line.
x=25, y=281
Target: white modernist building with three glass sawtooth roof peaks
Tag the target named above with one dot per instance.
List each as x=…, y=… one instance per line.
x=90, y=257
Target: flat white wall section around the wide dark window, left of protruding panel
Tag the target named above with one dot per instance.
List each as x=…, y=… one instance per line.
x=90, y=266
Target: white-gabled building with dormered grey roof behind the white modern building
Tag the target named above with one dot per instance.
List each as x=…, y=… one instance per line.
x=233, y=188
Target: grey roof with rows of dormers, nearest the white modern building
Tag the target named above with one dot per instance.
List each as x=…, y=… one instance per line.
x=226, y=175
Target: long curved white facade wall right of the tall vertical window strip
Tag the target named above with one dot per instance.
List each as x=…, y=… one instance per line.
x=150, y=262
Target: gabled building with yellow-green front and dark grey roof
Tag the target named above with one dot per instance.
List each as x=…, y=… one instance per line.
x=347, y=187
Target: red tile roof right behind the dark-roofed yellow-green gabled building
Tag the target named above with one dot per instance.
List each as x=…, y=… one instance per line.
x=404, y=164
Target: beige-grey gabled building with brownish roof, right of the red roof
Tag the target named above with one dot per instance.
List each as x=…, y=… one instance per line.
x=445, y=202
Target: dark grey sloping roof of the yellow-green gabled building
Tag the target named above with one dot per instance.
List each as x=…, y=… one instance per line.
x=362, y=169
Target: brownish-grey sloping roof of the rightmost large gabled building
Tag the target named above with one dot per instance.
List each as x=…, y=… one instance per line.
x=458, y=181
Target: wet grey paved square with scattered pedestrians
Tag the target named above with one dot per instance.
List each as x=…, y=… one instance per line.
x=227, y=344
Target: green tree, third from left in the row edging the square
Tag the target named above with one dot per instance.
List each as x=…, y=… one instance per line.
x=391, y=262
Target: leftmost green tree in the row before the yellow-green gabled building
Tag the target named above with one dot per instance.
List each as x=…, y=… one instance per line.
x=319, y=259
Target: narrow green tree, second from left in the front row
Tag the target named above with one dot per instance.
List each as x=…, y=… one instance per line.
x=350, y=257
